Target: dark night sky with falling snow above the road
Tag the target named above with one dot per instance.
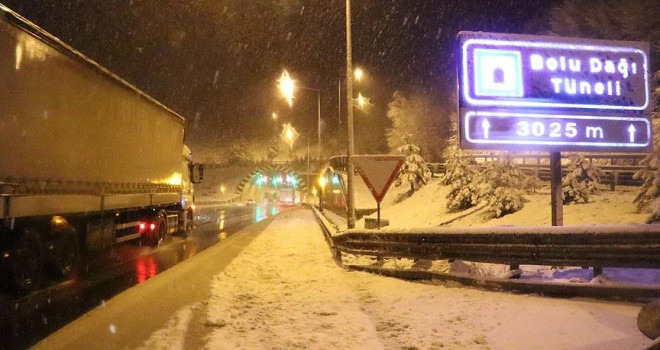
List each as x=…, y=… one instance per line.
x=216, y=61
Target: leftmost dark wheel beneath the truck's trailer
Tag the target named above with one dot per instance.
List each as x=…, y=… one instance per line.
x=27, y=263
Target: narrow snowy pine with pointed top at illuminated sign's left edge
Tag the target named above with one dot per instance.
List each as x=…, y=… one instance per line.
x=460, y=174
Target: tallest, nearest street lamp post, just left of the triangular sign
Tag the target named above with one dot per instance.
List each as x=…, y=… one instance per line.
x=349, y=96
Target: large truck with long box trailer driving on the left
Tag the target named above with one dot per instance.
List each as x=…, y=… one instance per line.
x=87, y=161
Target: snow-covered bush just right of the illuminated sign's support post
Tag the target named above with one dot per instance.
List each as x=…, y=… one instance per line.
x=580, y=182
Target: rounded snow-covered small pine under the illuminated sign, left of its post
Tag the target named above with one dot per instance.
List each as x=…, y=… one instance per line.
x=500, y=185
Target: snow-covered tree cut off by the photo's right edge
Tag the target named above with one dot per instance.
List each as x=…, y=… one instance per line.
x=648, y=197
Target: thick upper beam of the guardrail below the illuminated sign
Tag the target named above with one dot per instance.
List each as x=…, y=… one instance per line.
x=636, y=246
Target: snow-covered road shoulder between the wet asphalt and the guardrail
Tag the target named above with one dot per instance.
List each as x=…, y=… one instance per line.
x=285, y=292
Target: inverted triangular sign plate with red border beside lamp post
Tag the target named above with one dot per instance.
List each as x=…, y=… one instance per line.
x=378, y=172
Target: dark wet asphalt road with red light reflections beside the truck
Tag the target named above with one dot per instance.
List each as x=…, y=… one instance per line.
x=25, y=321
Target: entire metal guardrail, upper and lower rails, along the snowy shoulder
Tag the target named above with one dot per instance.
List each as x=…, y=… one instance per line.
x=631, y=246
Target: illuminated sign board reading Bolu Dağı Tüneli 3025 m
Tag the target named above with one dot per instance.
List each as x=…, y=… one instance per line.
x=523, y=92
